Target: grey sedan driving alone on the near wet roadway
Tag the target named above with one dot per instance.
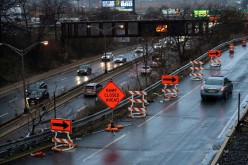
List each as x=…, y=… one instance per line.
x=216, y=86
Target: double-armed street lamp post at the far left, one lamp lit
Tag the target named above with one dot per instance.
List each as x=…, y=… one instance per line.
x=22, y=52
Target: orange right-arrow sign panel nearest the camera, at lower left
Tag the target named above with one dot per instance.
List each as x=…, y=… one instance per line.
x=63, y=125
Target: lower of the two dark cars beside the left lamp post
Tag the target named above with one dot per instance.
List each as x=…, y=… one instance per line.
x=37, y=96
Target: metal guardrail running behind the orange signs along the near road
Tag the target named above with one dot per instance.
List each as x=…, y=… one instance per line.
x=46, y=135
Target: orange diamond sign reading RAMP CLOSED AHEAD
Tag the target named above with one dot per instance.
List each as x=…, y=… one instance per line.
x=111, y=95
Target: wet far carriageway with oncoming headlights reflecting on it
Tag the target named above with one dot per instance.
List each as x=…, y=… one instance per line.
x=13, y=104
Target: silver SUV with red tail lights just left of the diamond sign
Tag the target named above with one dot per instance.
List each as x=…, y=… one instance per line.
x=92, y=89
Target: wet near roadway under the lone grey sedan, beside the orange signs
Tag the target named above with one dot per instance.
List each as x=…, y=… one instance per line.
x=182, y=131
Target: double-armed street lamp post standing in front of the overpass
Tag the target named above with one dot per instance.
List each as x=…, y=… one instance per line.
x=104, y=32
